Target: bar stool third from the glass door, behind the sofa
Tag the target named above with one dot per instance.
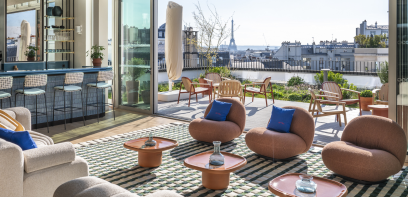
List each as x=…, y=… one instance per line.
x=32, y=82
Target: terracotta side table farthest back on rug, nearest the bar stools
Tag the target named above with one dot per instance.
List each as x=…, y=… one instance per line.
x=150, y=156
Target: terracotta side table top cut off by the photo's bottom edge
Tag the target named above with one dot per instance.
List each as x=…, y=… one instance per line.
x=285, y=186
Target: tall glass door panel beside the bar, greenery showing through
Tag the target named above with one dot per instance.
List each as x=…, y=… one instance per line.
x=134, y=54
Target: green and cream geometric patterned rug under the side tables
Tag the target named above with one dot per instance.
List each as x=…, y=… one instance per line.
x=109, y=160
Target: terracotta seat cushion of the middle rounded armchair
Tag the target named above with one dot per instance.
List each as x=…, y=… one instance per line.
x=274, y=144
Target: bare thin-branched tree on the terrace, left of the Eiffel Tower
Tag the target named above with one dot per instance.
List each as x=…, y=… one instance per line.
x=212, y=32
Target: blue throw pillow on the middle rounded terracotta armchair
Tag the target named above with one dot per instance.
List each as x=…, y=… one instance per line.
x=281, y=120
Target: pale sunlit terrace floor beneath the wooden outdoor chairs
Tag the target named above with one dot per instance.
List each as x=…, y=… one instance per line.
x=327, y=130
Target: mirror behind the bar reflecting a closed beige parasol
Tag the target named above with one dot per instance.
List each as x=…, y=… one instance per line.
x=24, y=27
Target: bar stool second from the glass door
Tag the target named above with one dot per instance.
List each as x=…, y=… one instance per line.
x=69, y=86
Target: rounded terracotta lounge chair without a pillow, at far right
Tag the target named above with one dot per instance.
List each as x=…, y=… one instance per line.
x=372, y=148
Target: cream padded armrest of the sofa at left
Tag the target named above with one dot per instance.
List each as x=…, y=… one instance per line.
x=48, y=156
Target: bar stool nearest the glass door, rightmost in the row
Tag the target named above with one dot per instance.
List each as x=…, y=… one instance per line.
x=103, y=76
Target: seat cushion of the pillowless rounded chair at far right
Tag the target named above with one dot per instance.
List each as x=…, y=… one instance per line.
x=359, y=163
